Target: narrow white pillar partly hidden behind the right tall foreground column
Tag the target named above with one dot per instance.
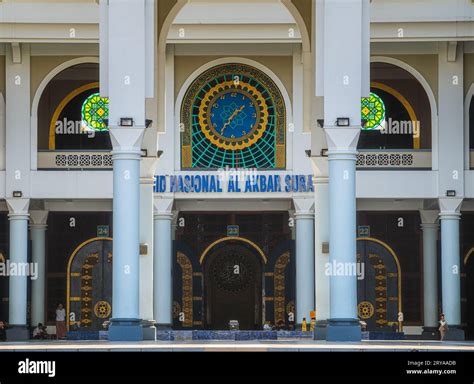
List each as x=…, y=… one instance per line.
x=321, y=242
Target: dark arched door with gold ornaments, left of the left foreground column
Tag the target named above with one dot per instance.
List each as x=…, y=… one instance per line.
x=89, y=285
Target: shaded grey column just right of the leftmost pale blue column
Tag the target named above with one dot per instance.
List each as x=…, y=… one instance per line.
x=38, y=220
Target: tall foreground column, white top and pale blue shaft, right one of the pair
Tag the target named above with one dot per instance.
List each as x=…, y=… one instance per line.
x=345, y=82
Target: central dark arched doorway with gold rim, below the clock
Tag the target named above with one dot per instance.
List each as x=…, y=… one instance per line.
x=233, y=275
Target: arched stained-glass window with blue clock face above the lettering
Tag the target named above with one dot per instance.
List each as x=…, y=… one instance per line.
x=233, y=115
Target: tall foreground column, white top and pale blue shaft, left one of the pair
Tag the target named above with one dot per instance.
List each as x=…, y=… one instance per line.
x=123, y=39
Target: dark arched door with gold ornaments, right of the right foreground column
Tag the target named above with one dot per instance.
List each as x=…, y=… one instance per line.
x=379, y=288
